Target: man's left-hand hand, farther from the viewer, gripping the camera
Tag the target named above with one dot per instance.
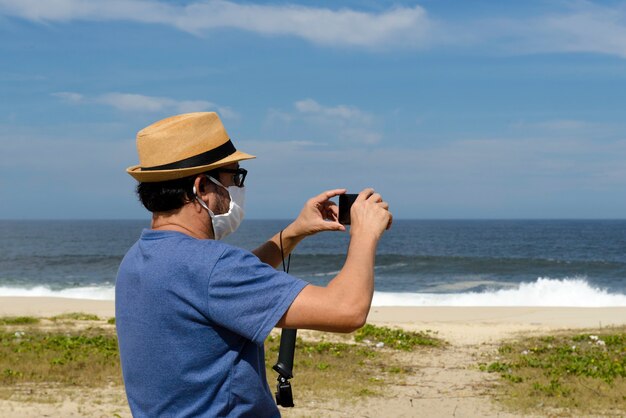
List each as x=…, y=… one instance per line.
x=319, y=214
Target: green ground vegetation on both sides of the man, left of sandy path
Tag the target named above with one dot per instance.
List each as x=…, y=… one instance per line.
x=80, y=351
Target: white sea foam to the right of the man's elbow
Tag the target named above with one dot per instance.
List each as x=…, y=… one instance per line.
x=567, y=292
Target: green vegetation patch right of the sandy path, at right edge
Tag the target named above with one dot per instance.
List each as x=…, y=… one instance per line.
x=577, y=373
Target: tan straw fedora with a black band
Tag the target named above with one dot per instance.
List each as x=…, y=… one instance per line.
x=183, y=145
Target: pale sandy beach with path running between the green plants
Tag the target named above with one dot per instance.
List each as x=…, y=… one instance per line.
x=447, y=382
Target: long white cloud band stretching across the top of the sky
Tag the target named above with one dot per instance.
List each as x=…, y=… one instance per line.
x=570, y=26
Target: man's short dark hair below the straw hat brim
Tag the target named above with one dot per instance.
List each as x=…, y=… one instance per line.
x=165, y=196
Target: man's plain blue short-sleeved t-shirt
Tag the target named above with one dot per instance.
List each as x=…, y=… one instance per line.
x=191, y=317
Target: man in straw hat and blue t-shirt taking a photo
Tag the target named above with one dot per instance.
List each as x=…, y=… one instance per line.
x=192, y=313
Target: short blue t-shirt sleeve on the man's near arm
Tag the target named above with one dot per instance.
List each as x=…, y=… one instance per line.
x=249, y=297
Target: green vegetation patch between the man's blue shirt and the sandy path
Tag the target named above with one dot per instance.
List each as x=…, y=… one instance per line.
x=348, y=367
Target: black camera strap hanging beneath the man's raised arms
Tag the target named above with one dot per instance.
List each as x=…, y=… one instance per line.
x=286, y=351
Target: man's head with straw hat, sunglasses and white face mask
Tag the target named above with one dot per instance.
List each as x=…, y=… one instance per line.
x=189, y=167
